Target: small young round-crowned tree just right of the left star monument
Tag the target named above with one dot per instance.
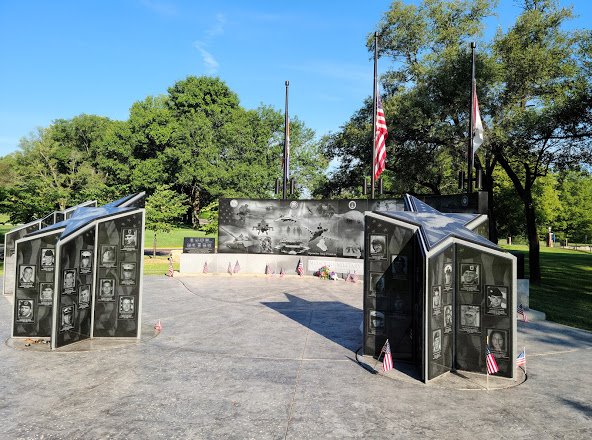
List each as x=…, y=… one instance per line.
x=162, y=209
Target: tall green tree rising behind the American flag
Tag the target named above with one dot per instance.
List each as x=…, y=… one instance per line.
x=425, y=98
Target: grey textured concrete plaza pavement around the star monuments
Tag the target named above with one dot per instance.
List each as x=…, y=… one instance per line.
x=267, y=358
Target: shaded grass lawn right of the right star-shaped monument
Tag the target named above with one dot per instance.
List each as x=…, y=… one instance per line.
x=565, y=292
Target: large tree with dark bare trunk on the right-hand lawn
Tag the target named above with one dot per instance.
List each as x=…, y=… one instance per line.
x=541, y=117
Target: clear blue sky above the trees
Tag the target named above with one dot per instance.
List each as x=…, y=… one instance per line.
x=61, y=58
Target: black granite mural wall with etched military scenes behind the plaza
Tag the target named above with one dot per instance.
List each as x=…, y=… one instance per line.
x=332, y=228
